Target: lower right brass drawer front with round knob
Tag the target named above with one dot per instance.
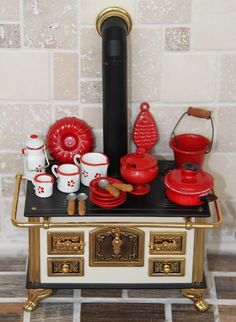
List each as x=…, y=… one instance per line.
x=166, y=267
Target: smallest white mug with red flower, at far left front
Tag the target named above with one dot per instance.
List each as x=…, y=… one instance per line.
x=43, y=185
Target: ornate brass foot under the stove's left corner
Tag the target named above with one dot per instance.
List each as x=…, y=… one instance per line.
x=35, y=296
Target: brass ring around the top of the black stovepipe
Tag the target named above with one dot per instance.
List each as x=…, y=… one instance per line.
x=113, y=12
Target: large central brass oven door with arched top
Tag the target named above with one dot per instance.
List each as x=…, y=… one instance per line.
x=119, y=246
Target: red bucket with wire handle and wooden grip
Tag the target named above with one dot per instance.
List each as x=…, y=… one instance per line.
x=191, y=147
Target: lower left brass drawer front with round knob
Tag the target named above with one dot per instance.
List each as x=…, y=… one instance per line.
x=59, y=266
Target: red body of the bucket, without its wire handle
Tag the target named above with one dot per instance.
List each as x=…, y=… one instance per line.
x=189, y=148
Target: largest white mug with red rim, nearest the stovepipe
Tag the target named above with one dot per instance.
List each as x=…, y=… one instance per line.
x=93, y=165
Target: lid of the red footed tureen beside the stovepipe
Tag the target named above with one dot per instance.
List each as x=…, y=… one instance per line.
x=139, y=160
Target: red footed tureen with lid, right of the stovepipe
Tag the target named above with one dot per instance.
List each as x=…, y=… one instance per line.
x=139, y=169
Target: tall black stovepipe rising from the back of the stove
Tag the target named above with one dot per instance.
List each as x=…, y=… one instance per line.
x=114, y=75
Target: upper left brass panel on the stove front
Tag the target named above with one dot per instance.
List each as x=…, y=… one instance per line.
x=61, y=243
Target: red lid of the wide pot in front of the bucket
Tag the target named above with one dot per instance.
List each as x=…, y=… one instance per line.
x=189, y=179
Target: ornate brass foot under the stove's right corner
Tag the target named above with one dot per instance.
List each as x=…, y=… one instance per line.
x=197, y=296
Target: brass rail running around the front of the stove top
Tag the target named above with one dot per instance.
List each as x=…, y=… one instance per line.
x=47, y=223
